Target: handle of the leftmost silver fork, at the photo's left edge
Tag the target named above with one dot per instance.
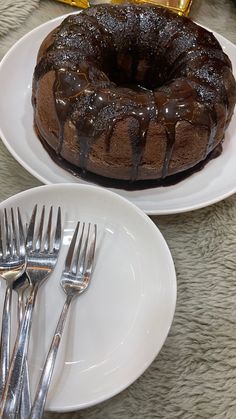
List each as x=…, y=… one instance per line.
x=5, y=338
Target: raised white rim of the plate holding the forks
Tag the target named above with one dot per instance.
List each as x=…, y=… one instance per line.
x=13, y=200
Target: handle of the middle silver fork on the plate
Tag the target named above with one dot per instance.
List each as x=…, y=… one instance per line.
x=14, y=382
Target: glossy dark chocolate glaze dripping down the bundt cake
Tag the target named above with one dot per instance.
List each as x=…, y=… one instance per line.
x=90, y=56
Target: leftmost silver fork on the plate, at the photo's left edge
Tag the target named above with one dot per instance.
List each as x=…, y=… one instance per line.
x=12, y=265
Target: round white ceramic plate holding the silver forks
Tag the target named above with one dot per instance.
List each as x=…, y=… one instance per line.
x=119, y=325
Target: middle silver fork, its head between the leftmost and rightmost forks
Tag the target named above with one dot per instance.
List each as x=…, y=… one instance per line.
x=42, y=253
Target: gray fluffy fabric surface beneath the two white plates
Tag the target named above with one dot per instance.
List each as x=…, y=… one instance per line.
x=194, y=376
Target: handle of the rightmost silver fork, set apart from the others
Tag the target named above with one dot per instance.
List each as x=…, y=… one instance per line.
x=45, y=379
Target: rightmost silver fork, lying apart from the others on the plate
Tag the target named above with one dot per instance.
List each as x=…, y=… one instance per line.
x=74, y=281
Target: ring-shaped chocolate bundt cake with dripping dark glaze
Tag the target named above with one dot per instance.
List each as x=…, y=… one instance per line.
x=131, y=93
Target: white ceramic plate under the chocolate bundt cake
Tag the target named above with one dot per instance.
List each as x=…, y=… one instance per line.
x=215, y=182
